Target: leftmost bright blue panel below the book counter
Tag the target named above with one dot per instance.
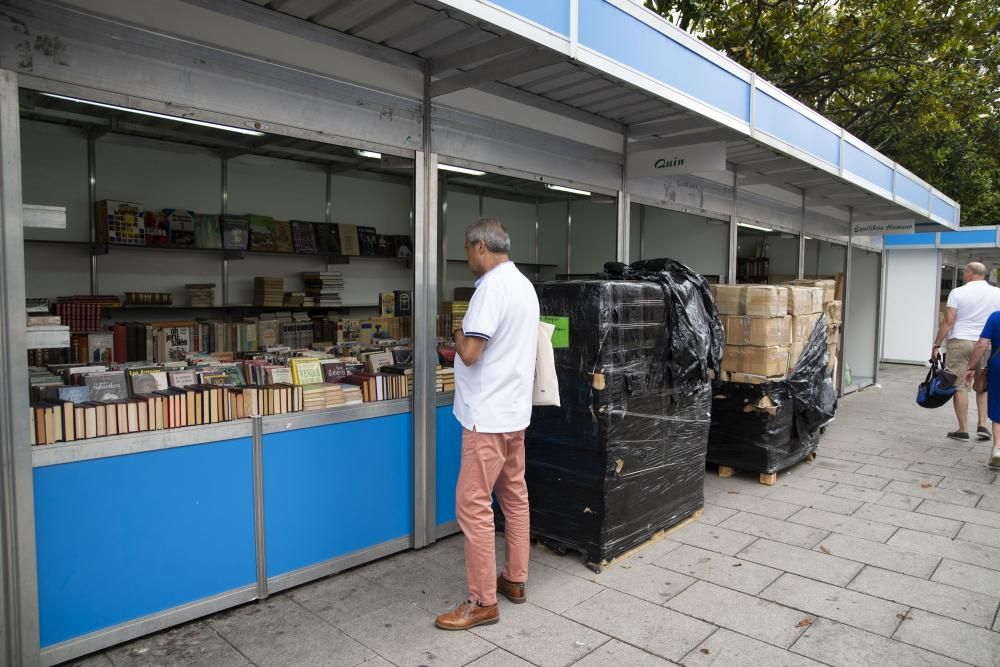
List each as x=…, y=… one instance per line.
x=123, y=537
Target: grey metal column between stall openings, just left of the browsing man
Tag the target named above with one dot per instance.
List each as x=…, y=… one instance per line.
x=425, y=302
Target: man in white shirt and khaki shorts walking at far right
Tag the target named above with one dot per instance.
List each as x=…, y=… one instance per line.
x=966, y=312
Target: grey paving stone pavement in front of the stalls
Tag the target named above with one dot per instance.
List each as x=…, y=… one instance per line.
x=884, y=550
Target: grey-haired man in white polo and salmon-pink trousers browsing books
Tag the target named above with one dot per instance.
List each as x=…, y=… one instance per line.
x=494, y=371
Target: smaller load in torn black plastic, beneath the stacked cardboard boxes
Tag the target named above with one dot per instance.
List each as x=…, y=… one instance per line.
x=768, y=427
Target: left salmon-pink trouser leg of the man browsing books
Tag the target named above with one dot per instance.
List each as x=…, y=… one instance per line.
x=482, y=460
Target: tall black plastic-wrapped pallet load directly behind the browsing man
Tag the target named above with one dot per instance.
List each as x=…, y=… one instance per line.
x=624, y=455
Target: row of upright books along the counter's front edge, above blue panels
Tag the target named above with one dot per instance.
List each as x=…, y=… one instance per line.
x=176, y=407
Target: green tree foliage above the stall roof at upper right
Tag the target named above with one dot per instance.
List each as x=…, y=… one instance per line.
x=917, y=79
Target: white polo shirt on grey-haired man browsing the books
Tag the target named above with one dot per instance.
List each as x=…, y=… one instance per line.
x=493, y=395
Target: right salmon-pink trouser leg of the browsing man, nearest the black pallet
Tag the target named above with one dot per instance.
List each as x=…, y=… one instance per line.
x=512, y=494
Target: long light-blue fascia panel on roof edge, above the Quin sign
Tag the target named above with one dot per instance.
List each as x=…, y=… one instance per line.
x=622, y=37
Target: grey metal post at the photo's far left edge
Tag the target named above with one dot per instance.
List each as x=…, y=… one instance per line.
x=19, y=638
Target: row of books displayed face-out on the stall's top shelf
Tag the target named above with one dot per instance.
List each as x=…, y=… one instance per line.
x=129, y=223
